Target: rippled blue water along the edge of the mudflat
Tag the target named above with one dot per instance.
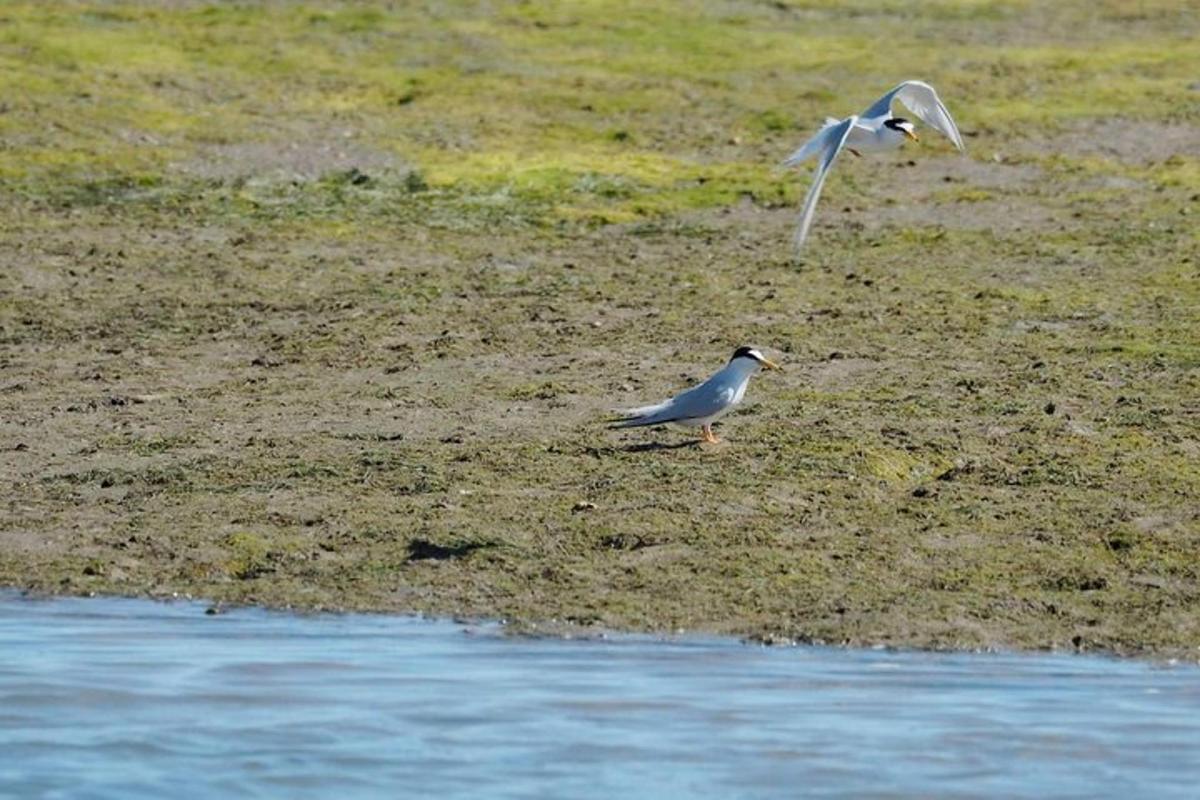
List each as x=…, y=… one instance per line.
x=121, y=699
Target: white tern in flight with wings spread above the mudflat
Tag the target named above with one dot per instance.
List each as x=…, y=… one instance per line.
x=873, y=131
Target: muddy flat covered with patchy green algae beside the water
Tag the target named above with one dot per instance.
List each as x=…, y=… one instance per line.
x=322, y=306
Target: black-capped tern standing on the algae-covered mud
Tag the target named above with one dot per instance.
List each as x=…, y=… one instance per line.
x=704, y=405
